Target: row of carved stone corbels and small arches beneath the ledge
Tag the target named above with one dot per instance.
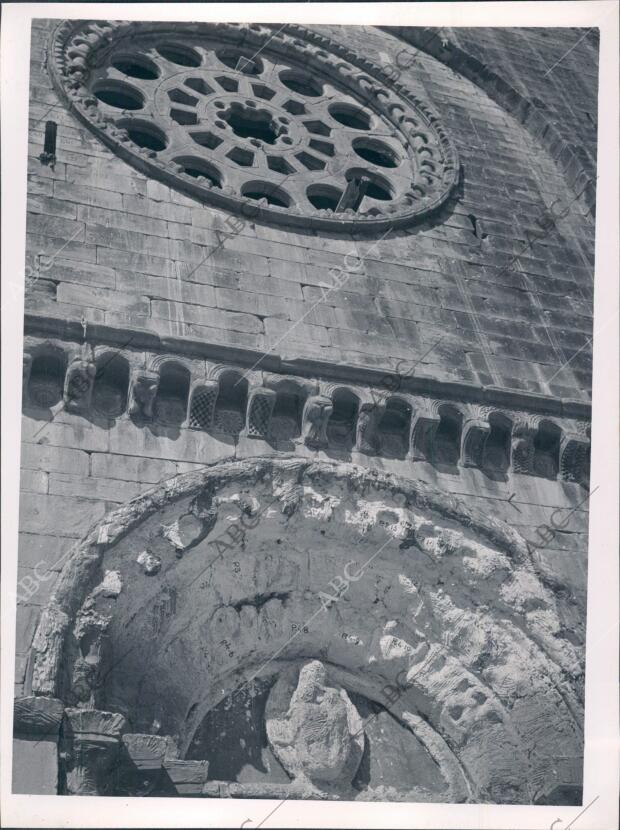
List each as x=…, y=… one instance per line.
x=288, y=411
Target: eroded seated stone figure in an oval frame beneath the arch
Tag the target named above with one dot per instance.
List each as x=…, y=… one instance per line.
x=319, y=735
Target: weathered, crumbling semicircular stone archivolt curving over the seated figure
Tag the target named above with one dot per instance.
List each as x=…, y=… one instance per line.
x=185, y=594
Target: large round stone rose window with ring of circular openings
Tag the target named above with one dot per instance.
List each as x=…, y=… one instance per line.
x=278, y=124
